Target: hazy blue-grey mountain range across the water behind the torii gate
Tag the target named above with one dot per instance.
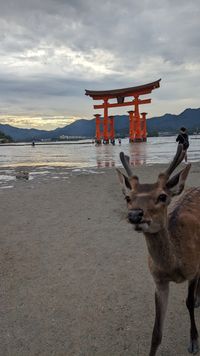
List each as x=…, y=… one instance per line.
x=167, y=123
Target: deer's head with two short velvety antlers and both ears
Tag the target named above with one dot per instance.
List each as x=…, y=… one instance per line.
x=147, y=203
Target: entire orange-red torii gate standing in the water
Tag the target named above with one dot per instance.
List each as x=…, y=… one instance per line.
x=137, y=127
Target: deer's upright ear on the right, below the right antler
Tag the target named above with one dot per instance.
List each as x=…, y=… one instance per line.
x=177, y=183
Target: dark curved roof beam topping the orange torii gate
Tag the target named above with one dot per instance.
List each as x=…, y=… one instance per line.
x=124, y=91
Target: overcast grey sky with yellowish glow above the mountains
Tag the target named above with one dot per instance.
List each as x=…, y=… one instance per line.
x=52, y=50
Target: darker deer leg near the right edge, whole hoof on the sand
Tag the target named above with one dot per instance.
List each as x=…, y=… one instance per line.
x=193, y=347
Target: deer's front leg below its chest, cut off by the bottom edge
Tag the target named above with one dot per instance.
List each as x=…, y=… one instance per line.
x=161, y=300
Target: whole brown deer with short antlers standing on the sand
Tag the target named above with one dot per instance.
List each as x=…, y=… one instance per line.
x=172, y=236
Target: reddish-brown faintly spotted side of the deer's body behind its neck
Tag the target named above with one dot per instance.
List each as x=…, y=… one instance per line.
x=184, y=229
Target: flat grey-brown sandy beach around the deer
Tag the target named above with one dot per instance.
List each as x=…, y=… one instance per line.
x=74, y=275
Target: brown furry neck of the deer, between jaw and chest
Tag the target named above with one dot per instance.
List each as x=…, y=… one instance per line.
x=161, y=250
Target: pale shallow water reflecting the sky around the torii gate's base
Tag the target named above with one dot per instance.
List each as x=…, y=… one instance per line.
x=45, y=159
